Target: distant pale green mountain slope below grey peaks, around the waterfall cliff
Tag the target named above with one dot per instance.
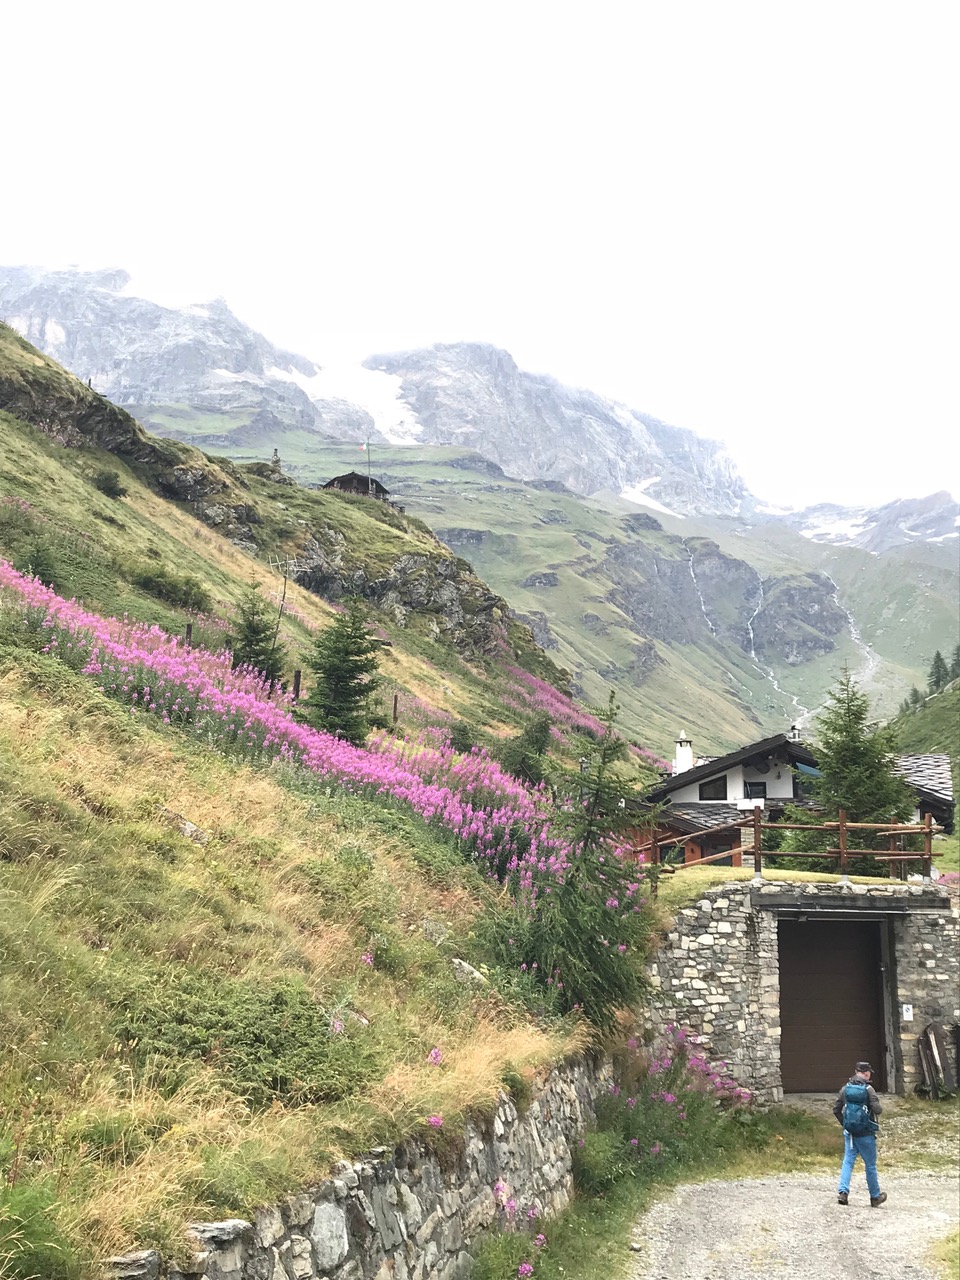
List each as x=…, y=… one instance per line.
x=525, y=531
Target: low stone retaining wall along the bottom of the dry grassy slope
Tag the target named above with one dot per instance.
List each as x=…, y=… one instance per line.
x=409, y=1214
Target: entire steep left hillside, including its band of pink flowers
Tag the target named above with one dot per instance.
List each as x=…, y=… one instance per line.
x=235, y=948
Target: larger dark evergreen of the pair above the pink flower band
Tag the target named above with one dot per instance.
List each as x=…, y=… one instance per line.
x=345, y=668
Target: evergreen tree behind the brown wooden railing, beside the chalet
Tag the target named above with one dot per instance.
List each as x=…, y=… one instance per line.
x=856, y=764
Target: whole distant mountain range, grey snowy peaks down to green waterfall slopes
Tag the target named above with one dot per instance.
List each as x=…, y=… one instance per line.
x=632, y=547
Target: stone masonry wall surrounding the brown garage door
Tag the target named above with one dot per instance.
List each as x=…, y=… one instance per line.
x=719, y=971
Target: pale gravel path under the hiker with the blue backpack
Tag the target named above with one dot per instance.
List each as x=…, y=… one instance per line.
x=792, y=1228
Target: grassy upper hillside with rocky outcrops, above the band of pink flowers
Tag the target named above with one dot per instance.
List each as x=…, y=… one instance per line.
x=223, y=525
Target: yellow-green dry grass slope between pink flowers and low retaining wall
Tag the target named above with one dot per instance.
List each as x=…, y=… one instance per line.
x=130, y=949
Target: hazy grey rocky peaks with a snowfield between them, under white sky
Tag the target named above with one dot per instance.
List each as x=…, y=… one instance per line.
x=179, y=368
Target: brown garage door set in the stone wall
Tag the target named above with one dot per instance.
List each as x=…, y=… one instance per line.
x=831, y=1003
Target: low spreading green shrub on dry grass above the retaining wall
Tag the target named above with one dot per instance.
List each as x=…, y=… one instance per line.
x=272, y=1040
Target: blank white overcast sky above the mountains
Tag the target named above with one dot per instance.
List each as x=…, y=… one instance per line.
x=739, y=217
